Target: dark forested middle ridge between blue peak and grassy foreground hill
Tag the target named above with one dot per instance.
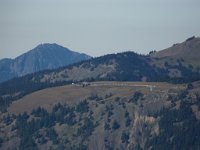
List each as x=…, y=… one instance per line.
x=127, y=66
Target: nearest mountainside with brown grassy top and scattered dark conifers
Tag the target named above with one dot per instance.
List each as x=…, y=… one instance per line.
x=105, y=116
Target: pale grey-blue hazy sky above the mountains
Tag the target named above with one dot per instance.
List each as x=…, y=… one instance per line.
x=96, y=27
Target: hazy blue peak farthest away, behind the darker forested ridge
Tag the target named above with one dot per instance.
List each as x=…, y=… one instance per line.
x=42, y=57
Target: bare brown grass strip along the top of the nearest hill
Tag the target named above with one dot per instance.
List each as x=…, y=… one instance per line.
x=72, y=94
